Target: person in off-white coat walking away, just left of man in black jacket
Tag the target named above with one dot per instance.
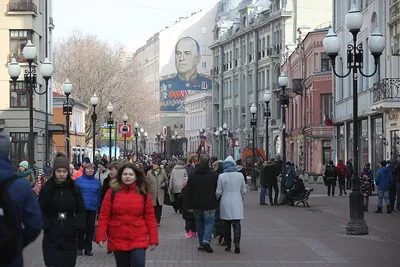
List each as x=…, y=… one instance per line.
x=178, y=175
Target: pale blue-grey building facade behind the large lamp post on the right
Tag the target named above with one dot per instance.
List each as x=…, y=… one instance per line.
x=378, y=104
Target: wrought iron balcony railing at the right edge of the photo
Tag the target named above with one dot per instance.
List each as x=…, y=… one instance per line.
x=388, y=88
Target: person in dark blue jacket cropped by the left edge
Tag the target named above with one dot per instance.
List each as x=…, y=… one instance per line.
x=24, y=206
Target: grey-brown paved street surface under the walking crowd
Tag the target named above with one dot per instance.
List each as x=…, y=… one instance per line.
x=273, y=236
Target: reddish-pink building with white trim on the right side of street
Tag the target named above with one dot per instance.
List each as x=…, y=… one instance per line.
x=309, y=131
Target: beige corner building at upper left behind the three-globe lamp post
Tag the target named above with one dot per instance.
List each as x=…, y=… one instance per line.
x=23, y=20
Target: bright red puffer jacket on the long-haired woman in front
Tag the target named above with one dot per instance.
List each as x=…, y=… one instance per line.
x=126, y=225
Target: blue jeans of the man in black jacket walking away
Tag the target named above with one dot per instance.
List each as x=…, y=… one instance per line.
x=205, y=221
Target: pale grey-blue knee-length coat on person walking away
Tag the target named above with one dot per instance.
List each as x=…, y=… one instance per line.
x=231, y=188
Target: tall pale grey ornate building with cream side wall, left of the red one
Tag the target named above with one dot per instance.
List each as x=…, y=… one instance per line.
x=251, y=41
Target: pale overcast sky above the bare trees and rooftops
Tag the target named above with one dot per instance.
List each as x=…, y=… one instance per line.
x=130, y=22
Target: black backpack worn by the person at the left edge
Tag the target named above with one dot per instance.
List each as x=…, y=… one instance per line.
x=9, y=230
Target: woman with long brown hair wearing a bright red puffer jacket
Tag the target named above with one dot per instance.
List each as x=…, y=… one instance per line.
x=127, y=218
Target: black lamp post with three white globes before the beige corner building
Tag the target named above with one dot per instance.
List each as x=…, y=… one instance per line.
x=30, y=83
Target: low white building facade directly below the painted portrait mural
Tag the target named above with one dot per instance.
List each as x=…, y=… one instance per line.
x=198, y=116
